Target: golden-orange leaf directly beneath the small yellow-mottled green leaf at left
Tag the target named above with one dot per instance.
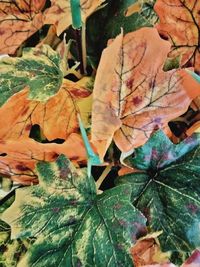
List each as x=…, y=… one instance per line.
x=57, y=117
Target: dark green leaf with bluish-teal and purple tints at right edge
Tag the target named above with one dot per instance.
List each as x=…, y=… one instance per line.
x=167, y=189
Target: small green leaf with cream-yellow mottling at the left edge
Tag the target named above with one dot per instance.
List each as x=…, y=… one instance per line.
x=38, y=68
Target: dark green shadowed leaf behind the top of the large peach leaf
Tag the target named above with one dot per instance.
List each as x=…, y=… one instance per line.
x=111, y=19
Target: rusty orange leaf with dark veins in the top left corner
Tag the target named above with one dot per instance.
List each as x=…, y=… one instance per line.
x=18, y=21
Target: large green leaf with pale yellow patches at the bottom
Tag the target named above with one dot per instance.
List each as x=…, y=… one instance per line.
x=73, y=225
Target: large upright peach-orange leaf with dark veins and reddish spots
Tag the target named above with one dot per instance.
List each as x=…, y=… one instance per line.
x=132, y=95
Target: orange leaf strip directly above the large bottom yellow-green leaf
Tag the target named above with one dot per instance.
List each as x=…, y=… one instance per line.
x=18, y=158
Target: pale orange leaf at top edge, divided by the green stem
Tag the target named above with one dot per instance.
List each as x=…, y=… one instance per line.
x=60, y=12
